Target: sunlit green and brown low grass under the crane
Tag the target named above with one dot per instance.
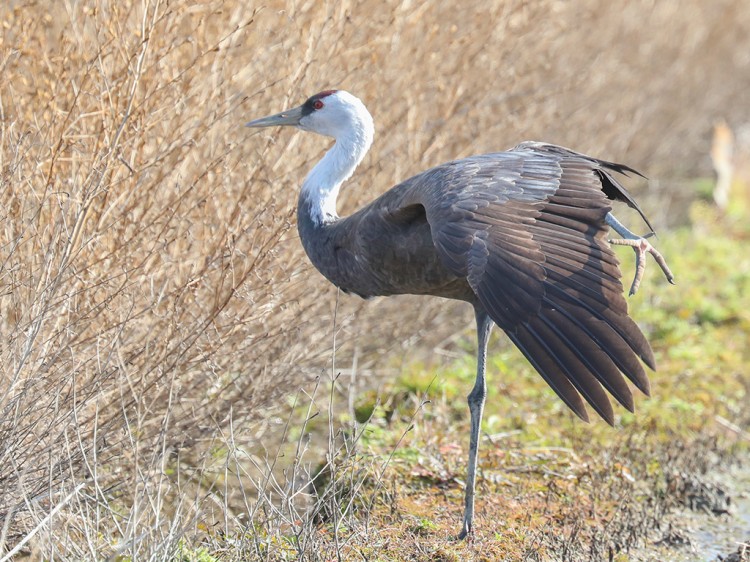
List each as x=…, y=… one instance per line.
x=549, y=482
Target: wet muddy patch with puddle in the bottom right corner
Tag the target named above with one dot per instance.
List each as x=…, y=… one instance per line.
x=696, y=507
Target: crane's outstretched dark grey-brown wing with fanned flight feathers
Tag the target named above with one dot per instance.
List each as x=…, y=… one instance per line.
x=526, y=228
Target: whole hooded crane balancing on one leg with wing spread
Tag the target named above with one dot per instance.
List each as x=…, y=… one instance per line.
x=521, y=235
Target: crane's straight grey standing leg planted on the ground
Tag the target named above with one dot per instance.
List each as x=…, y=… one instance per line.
x=476, y=406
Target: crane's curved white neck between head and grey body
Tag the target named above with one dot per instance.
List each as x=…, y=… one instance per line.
x=321, y=186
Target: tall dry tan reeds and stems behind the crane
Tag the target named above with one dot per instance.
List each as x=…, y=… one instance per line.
x=154, y=298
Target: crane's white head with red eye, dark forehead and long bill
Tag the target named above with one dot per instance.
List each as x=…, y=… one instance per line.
x=333, y=113
